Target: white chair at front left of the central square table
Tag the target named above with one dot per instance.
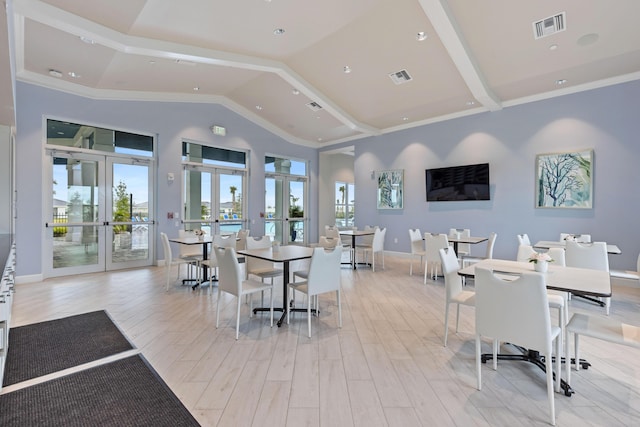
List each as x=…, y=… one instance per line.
x=230, y=281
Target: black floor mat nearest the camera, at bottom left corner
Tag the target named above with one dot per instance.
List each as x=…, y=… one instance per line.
x=127, y=392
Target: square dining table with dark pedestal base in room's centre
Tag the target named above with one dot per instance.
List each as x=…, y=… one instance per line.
x=285, y=255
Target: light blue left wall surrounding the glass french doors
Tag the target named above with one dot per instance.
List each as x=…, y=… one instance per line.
x=171, y=122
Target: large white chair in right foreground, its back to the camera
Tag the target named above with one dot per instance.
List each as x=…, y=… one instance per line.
x=517, y=312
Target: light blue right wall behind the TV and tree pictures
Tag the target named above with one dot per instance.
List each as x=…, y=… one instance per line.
x=605, y=120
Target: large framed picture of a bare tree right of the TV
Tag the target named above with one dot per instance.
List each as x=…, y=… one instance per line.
x=564, y=180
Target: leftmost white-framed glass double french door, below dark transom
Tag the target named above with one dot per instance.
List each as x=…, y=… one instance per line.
x=100, y=215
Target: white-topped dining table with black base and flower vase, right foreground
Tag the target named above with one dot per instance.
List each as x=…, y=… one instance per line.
x=595, y=283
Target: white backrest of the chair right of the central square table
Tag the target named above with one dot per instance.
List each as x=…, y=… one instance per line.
x=324, y=270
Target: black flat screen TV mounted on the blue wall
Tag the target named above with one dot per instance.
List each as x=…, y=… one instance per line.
x=456, y=183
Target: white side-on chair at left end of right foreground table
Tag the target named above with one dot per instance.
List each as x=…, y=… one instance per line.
x=453, y=288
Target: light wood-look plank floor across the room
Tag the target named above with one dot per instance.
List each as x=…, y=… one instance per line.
x=385, y=367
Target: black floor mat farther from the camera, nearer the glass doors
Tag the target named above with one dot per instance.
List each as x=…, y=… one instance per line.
x=47, y=347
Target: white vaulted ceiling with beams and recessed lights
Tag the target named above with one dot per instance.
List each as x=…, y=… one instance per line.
x=476, y=51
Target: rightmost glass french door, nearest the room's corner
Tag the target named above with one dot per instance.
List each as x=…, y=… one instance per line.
x=285, y=212
